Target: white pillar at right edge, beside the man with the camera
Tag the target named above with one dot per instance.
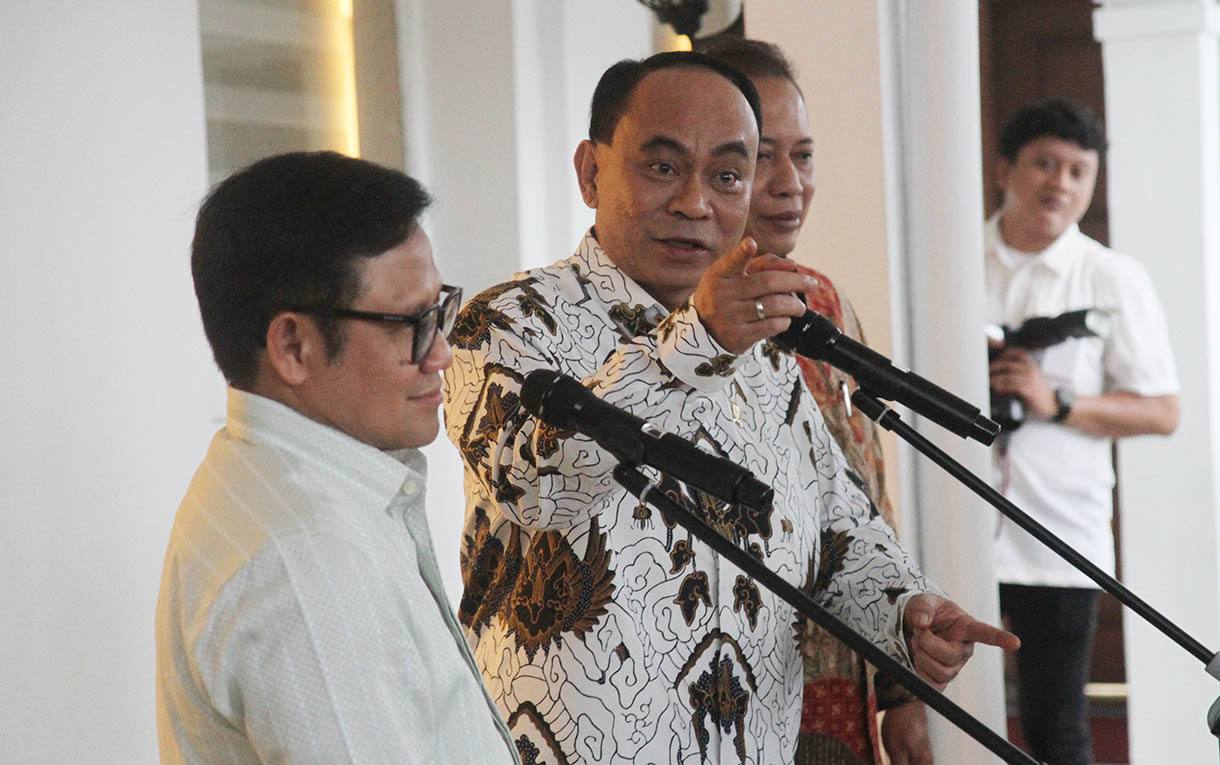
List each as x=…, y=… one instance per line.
x=1163, y=120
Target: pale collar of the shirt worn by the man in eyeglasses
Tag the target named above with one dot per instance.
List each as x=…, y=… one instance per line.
x=353, y=469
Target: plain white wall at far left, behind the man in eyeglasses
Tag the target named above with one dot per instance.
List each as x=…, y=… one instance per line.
x=108, y=396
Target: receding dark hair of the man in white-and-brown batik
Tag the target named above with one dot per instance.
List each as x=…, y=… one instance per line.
x=618, y=84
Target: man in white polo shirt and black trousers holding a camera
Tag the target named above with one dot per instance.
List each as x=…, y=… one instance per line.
x=1079, y=397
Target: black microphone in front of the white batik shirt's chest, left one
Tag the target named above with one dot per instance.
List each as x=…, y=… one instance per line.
x=564, y=403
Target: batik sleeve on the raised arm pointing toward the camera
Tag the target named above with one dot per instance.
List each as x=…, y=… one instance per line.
x=541, y=476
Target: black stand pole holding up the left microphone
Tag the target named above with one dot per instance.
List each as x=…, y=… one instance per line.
x=647, y=491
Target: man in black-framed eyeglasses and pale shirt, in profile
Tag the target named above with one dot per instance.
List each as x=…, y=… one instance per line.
x=302, y=616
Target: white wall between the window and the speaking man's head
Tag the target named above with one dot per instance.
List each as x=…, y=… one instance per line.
x=496, y=99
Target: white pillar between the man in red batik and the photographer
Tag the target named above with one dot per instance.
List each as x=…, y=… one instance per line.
x=938, y=45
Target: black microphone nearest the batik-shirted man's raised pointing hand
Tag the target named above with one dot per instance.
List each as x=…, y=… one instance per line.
x=817, y=337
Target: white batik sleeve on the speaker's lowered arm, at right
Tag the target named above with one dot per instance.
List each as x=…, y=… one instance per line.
x=863, y=576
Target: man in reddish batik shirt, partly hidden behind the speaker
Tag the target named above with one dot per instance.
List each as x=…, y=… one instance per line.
x=839, y=725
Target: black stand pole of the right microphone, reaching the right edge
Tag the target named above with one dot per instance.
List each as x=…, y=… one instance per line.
x=889, y=419
